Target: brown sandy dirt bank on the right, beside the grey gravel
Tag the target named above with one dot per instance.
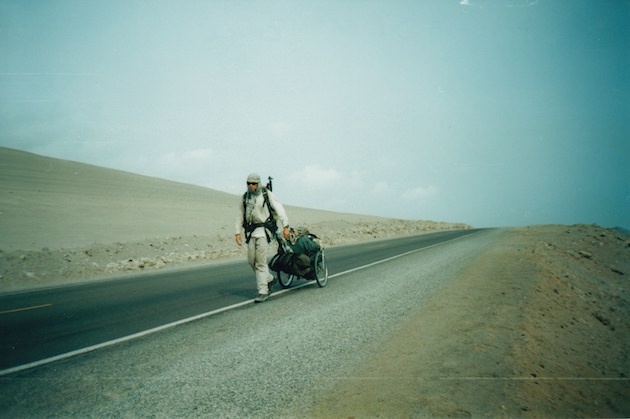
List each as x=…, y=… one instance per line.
x=508, y=337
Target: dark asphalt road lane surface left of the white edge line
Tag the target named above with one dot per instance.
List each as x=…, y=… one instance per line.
x=45, y=323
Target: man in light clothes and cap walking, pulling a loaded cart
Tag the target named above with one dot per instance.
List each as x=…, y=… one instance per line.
x=260, y=213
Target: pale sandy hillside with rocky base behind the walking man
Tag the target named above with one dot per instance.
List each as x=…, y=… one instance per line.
x=65, y=221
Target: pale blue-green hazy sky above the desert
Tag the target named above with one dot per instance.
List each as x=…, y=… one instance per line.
x=487, y=112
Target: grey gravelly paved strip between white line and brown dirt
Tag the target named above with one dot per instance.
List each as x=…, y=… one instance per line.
x=276, y=359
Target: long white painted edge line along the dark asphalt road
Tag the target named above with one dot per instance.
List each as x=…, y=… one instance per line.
x=87, y=349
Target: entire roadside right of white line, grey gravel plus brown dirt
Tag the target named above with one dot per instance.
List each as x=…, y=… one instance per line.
x=501, y=323
